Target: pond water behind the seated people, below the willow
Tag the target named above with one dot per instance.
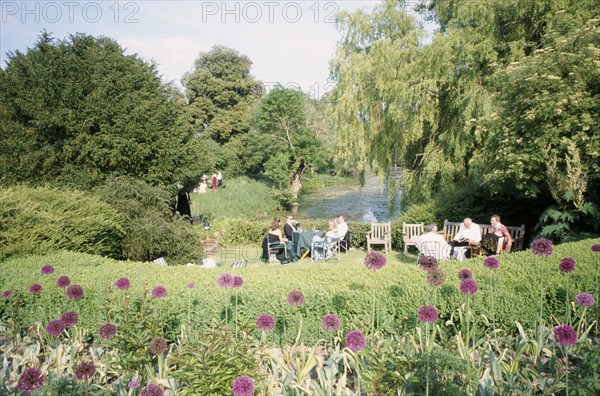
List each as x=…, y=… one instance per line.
x=366, y=204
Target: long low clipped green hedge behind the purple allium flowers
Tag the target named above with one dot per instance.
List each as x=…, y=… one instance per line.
x=344, y=288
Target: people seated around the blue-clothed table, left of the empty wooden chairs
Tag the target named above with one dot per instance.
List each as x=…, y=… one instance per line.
x=281, y=237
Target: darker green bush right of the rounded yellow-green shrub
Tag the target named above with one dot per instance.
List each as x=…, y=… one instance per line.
x=150, y=231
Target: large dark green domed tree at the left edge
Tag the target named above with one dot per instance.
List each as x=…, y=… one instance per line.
x=76, y=110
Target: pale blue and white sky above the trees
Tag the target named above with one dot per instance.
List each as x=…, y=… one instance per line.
x=289, y=42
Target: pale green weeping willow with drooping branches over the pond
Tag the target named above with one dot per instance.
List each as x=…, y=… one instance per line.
x=400, y=102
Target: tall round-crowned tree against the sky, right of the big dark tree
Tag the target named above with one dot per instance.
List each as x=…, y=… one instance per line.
x=222, y=93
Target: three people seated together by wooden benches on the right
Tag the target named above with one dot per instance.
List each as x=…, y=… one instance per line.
x=469, y=235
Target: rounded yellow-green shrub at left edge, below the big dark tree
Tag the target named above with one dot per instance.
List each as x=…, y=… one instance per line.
x=38, y=220
